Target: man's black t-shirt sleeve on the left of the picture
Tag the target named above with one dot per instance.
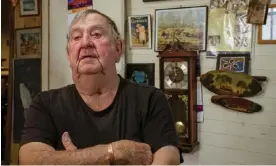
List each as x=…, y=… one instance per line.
x=38, y=125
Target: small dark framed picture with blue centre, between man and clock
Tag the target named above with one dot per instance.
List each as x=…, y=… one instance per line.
x=141, y=73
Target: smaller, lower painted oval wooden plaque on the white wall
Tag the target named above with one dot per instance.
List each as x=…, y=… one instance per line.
x=236, y=103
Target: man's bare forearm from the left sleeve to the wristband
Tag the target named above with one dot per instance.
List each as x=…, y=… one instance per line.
x=93, y=156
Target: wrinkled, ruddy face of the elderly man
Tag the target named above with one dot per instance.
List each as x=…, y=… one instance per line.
x=92, y=46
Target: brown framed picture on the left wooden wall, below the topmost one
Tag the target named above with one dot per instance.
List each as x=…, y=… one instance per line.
x=28, y=43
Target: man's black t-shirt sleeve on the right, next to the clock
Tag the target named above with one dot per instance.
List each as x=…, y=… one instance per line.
x=159, y=129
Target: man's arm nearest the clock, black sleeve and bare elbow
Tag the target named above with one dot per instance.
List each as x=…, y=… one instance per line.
x=160, y=132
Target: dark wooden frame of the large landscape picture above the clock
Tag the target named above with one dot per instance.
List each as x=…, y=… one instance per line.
x=206, y=27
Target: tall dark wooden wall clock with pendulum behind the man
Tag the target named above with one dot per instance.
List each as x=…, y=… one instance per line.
x=178, y=81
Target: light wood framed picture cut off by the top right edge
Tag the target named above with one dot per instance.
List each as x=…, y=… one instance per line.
x=267, y=32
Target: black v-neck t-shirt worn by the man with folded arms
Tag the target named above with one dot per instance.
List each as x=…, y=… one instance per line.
x=139, y=113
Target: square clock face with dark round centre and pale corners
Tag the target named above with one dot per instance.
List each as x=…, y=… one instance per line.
x=176, y=75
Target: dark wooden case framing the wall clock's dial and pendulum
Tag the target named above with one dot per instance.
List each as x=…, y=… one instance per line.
x=186, y=145
